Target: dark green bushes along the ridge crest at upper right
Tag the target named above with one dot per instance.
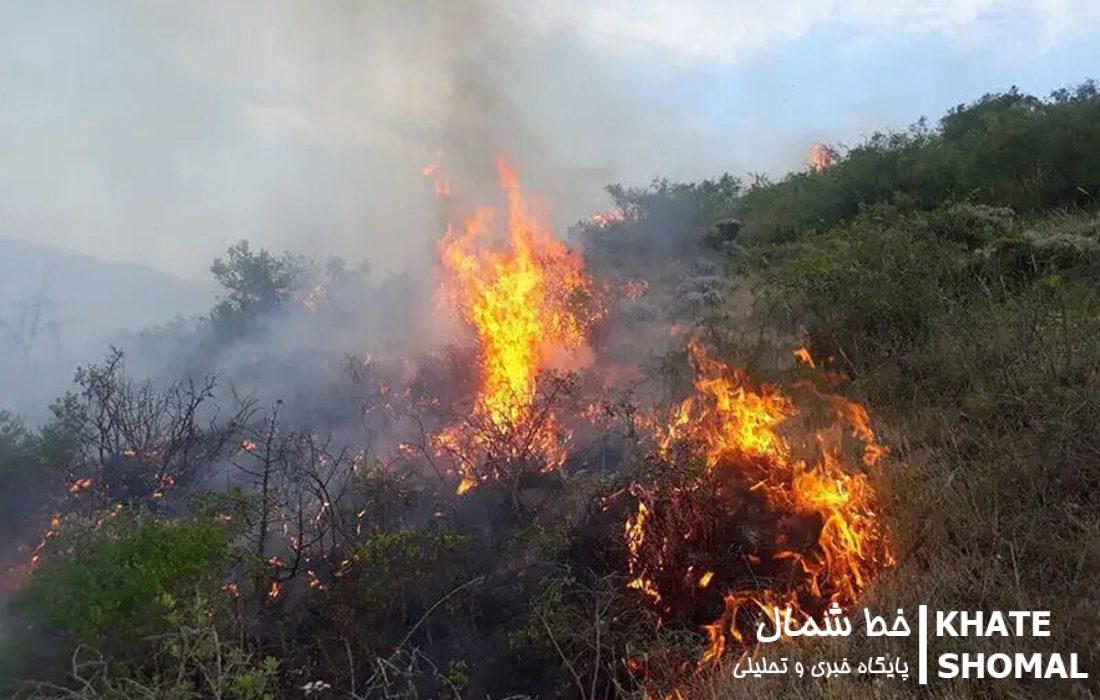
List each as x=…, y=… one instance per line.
x=1004, y=150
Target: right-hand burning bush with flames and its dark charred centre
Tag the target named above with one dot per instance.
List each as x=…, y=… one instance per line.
x=772, y=520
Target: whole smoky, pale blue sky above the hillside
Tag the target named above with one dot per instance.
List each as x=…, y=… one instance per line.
x=161, y=133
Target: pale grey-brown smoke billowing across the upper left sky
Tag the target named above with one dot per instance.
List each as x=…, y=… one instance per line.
x=162, y=135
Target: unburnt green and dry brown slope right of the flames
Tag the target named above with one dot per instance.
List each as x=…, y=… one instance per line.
x=952, y=277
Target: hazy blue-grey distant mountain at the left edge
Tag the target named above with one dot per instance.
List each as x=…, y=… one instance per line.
x=60, y=309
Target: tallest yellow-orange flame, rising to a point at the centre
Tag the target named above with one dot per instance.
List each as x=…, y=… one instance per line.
x=526, y=301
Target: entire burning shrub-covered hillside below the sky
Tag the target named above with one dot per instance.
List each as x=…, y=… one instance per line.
x=875, y=384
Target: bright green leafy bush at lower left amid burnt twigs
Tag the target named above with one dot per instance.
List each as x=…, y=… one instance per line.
x=109, y=585
